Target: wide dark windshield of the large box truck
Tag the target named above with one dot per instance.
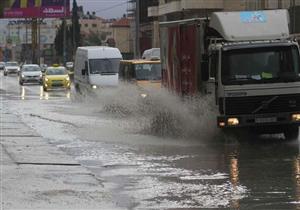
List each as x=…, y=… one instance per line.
x=260, y=65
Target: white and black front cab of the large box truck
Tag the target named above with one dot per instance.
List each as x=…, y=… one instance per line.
x=256, y=67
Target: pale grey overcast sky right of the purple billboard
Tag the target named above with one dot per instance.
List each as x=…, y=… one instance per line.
x=104, y=8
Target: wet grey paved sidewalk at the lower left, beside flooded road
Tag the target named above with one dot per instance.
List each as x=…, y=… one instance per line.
x=38, y=175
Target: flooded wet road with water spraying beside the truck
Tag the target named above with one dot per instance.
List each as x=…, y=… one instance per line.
x=157, y=153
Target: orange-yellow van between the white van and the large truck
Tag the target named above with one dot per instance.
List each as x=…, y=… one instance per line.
x=144, y=73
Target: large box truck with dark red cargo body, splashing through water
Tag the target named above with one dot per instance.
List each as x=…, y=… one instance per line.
x=247, y=60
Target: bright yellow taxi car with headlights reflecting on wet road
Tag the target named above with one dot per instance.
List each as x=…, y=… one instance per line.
x=56, y=77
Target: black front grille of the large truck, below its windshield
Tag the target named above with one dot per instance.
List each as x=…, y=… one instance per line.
x=262, y=104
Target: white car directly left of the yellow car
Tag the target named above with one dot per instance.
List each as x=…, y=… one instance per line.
x=31, y=73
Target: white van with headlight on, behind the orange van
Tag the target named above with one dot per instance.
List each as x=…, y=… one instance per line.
x=96, y=67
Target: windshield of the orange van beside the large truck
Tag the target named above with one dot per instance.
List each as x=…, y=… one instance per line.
x=148, y=71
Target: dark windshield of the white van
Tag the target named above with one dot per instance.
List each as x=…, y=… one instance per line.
x=108, y=65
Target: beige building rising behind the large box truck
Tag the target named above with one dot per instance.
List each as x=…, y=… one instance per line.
x=171, y=10
